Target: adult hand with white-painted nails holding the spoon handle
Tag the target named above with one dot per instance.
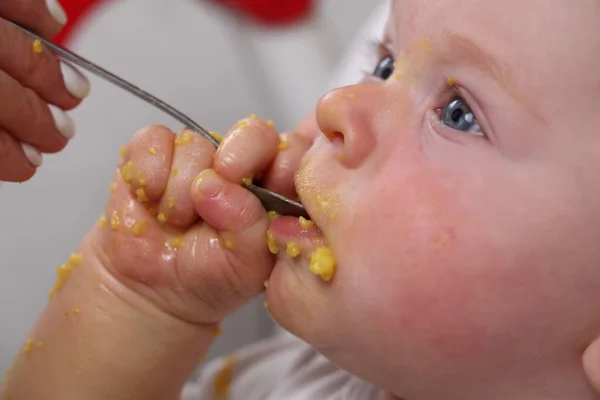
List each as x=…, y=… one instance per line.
x=35, y=89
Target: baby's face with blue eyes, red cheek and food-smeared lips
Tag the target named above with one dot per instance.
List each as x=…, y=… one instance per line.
x=464, y=213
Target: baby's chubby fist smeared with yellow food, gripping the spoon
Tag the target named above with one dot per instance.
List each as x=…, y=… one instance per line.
x=180, y=230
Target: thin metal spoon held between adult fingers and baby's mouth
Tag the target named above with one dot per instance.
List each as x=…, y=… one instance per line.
x=270, y=200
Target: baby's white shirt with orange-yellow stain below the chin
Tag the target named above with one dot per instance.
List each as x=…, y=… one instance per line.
x=279, y=368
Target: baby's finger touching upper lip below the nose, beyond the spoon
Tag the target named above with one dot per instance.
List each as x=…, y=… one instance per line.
x=280, y=175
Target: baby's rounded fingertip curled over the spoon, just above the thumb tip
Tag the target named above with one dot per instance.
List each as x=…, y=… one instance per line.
x=248, y=148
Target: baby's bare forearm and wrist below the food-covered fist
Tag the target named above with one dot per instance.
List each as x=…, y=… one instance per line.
x=97, y=339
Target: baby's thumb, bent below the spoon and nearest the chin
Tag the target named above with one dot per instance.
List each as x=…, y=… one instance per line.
x=242, y=224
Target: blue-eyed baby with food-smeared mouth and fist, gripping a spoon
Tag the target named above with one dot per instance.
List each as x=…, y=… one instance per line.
x=456, y=189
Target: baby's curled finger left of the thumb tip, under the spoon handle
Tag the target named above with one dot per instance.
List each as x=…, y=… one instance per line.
x=192, y=154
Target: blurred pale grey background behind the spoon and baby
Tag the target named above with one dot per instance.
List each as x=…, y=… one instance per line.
x=213, y=64
